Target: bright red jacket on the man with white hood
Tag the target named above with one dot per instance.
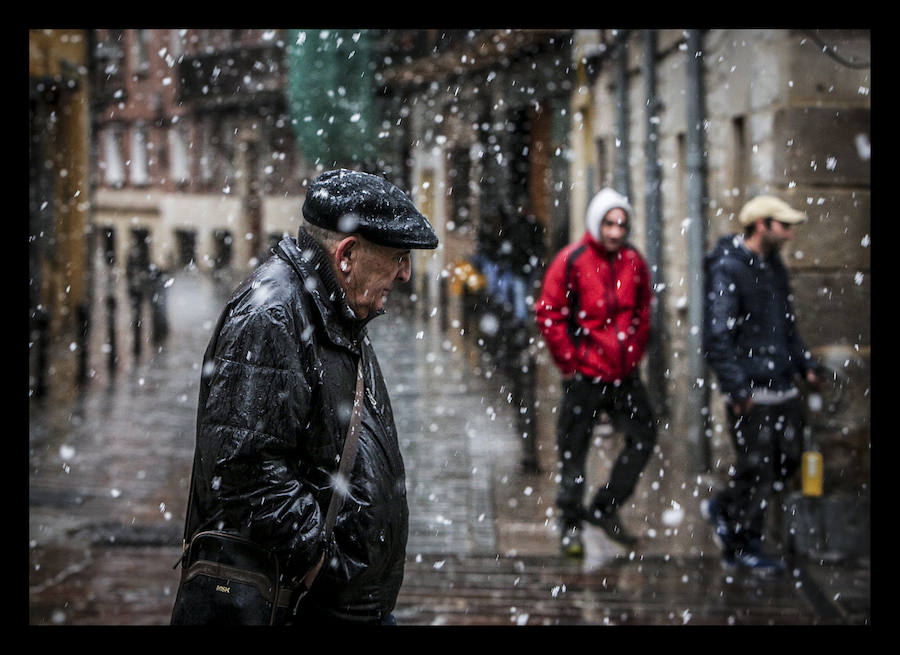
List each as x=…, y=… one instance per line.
x=594, y=310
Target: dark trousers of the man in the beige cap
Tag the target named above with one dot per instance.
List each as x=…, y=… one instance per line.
x=768, y=443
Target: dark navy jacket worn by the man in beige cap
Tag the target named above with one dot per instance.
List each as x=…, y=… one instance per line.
x=750, y=335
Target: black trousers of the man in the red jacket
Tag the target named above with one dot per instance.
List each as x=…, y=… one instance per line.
x=629, y=408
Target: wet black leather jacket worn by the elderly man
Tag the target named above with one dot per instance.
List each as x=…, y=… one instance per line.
x=276, y=395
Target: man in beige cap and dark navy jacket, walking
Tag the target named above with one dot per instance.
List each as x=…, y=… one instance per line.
x=752, y=345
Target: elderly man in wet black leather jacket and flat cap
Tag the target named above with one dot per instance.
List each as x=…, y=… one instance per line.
x=277, y=394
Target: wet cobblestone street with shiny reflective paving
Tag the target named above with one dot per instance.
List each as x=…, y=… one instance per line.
x=108, y=478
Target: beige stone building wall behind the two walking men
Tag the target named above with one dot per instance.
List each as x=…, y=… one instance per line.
x=783, y=112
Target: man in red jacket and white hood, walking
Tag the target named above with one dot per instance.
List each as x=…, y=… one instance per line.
x=594, y=315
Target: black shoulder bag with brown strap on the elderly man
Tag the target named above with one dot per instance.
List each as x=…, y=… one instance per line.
x=229, y=580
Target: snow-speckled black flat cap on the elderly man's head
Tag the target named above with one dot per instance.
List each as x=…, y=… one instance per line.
x=353, y=202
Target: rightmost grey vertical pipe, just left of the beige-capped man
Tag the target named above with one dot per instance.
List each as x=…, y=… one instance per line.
x=698, y=397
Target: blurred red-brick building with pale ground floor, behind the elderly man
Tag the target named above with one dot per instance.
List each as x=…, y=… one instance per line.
x=197, y=163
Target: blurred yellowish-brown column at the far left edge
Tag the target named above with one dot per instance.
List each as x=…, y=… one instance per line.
x=59, y=195
